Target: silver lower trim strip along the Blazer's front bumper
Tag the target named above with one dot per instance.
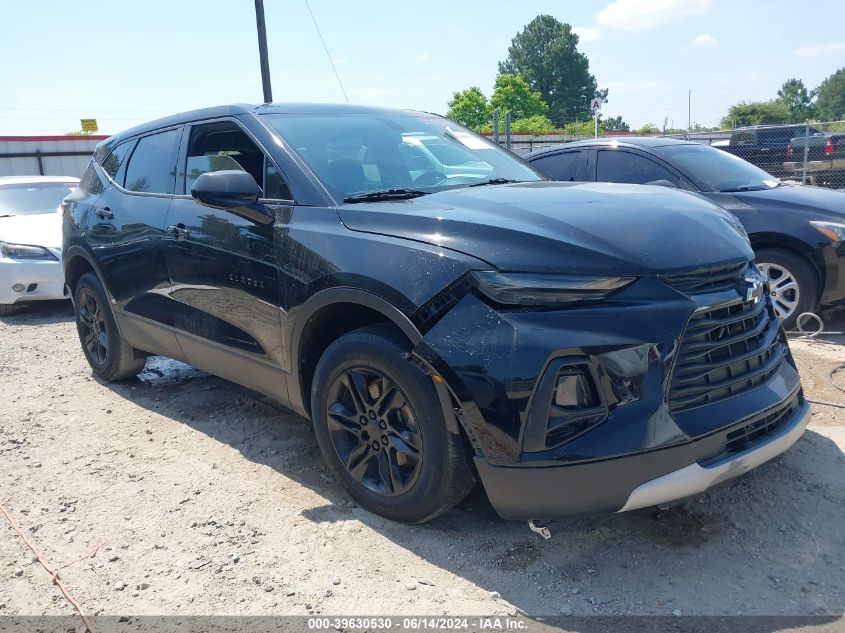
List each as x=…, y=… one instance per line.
x=695, y=479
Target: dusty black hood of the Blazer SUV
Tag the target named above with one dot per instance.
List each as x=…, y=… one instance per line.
x=578, y=228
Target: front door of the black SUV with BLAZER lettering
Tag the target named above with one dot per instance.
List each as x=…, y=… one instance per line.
x=224, y=268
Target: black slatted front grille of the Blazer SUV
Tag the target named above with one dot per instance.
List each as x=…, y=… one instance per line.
x=726, y=351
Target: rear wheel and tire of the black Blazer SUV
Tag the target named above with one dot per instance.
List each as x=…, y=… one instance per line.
x=111, y=358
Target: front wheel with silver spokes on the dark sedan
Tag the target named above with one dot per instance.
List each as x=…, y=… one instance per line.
x=781, y=268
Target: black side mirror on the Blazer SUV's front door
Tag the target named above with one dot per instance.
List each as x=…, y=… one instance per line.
x=232, y=190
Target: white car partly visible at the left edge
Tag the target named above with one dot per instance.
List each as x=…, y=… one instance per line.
x=31, y=238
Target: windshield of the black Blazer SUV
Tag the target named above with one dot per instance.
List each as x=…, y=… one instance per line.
x=355, y=154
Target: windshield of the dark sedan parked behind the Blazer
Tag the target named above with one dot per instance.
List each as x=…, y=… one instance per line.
x=715, y=170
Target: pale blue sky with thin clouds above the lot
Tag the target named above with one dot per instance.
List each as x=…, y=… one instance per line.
x=126, y=62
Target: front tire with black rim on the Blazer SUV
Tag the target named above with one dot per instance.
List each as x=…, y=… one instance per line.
x=386, y=420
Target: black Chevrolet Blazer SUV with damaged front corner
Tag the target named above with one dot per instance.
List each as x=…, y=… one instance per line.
x=438, y=309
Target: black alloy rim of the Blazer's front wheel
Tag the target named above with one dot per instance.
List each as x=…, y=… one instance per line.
x=374, y=430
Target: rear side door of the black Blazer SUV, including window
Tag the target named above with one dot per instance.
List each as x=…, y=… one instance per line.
x=129, y=219
